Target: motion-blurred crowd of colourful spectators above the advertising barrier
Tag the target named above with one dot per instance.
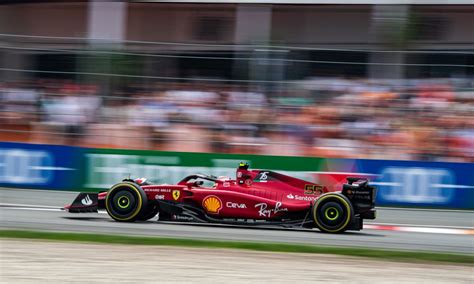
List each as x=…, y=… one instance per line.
x=430, y=120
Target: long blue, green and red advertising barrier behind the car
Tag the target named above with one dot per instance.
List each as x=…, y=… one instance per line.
x=400, y=183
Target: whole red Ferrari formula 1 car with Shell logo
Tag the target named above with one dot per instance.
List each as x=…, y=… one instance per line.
x=255, y=197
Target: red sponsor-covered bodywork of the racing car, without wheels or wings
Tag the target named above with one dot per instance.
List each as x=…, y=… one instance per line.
x=254, y=194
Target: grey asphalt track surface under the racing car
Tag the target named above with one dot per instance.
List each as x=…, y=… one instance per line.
x=39, y=210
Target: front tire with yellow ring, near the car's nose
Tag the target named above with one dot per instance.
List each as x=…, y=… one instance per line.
x=126, y=202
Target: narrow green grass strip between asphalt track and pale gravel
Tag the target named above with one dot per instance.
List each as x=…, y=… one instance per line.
x=408, y=256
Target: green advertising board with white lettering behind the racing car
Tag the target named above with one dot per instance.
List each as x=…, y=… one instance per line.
x=104, y=167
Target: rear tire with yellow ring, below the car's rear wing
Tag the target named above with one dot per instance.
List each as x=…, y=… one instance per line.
x=332, y=213
